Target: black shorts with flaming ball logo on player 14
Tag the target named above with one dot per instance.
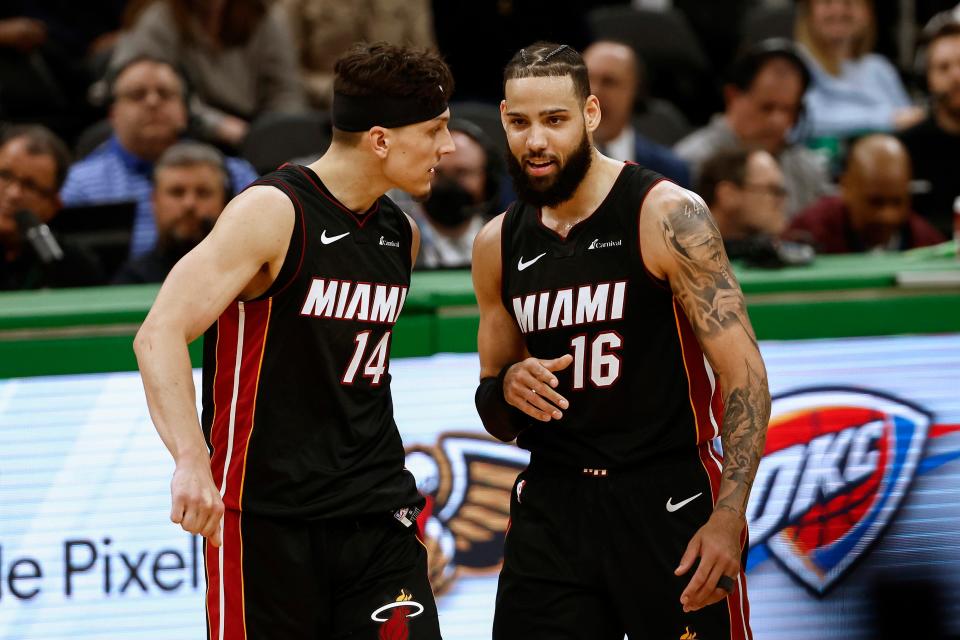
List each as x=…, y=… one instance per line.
x=363, y=579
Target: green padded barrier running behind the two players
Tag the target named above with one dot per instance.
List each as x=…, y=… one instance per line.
x=91, y=330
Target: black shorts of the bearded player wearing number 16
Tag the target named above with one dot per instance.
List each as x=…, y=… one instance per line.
x=591, y=553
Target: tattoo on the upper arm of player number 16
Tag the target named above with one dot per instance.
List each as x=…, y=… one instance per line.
x=704, y=282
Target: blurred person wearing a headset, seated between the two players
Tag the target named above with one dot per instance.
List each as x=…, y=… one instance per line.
x=464, y=195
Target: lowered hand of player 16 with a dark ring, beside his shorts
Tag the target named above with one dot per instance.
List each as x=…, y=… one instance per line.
x=717, y=544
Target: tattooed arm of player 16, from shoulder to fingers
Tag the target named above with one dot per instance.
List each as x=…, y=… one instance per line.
x=681, y=243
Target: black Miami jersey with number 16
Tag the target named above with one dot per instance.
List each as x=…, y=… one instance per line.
x=639, y=384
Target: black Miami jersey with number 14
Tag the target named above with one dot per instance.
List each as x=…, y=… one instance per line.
x=296, y=405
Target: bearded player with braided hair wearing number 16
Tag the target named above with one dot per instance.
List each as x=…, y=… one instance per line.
x=614, y=346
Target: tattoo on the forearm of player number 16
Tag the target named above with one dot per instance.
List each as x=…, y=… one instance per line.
x=744, y=432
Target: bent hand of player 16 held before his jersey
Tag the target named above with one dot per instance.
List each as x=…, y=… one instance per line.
x=529, y=386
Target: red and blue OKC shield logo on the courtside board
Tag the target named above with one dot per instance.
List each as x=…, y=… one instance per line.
x=837, y=466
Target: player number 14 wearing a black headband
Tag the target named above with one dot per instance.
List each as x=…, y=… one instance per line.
x=295, y=471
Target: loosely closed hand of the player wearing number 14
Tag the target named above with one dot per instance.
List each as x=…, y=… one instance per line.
x=196, y=503
